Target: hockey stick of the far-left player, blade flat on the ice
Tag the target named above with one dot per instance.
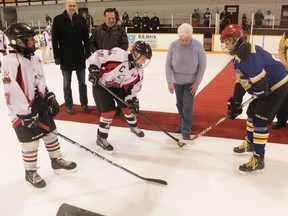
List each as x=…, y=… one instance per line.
x=159, y=181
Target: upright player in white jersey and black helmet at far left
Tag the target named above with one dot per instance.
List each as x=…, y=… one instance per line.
x=29, y=103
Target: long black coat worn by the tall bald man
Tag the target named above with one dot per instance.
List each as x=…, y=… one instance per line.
x=70, y=41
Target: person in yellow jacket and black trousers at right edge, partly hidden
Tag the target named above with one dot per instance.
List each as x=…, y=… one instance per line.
x=282, y=115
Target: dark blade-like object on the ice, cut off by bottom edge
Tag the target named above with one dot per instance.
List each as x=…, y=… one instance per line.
x=70, y=210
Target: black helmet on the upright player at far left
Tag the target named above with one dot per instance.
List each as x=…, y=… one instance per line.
x=20, y=31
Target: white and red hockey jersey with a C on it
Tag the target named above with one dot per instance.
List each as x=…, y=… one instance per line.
x=117, y=71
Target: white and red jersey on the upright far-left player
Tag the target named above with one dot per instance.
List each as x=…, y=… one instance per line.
x=21, y=78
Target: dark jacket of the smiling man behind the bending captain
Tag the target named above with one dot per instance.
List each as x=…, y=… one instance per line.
x=108, y=38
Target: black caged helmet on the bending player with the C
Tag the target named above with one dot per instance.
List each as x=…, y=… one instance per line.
x=140, y=48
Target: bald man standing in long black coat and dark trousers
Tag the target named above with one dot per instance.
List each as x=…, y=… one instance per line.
x=70, y=40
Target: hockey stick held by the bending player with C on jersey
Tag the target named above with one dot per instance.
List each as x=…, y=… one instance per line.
x=179, y=142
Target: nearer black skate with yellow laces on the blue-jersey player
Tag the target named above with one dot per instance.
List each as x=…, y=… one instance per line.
x=256, y=164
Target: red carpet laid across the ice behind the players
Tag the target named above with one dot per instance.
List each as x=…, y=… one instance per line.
x=209, y=107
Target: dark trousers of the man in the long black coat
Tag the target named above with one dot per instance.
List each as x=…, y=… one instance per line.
x=67, y=76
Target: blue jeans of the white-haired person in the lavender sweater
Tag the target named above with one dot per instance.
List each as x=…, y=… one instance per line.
x=184, y=104
